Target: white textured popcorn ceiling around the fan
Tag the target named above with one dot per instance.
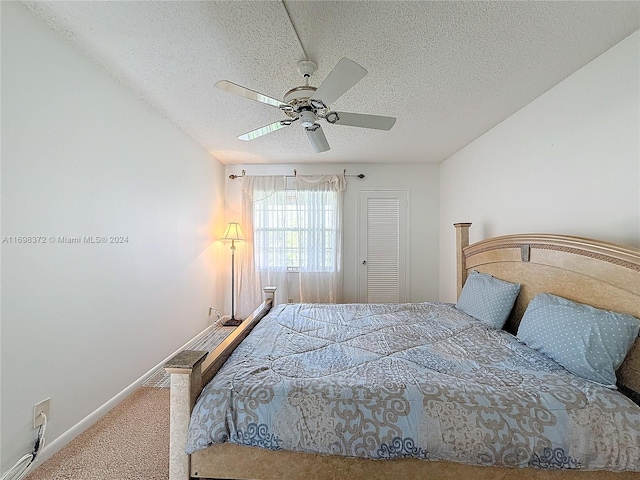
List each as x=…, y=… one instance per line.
x=449, y=71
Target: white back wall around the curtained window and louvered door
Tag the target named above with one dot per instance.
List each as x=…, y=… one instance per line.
x=420, y=180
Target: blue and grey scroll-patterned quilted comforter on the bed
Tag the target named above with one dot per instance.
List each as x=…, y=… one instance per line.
x=422, y=380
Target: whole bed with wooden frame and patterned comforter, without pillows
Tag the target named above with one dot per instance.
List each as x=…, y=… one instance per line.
x=473, y=384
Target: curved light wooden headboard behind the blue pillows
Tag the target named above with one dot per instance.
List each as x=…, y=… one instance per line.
x=597, y=273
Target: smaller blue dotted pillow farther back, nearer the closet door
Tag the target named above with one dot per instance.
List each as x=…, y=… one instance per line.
x=488, y=298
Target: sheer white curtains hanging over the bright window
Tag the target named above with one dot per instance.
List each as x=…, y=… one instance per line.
x=293, y=232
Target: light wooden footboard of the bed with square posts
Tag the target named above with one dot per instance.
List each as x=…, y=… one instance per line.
x=190, y=371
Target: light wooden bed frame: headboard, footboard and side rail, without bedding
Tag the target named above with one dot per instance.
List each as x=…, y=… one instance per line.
x=598, y=273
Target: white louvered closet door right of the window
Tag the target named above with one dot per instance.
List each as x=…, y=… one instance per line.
x=382, y=246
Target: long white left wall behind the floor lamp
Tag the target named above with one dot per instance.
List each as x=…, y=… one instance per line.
x=81, y=155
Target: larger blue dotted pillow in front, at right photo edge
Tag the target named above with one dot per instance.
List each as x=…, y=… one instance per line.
x=587, y=341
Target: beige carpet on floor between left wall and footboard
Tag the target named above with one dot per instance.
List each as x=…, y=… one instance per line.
x=131, y=442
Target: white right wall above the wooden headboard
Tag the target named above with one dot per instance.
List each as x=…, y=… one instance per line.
x=569, y=163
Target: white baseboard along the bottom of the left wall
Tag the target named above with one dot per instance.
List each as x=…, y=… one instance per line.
x=50, y=449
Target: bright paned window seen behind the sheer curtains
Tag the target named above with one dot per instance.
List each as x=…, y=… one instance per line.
x=296, y=231
